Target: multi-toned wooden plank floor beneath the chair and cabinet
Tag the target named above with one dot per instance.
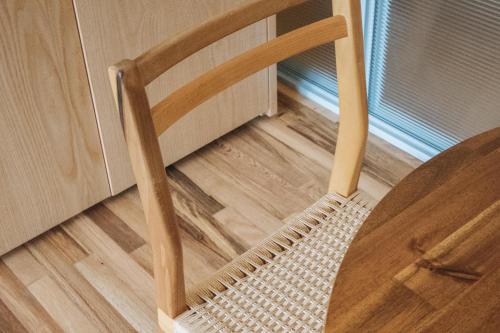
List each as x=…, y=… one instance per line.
x=93, y=273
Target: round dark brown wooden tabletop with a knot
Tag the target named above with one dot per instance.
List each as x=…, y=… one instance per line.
x=428, y=257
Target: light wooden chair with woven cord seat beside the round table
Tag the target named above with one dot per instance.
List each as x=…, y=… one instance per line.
x=284, y=283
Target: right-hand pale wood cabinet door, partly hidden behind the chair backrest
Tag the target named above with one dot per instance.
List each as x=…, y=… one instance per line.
x=115, y=29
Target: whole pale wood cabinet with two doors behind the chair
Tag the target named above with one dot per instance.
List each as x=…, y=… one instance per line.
x=61, y=144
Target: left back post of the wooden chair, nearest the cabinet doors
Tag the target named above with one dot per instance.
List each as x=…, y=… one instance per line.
x=147, y=164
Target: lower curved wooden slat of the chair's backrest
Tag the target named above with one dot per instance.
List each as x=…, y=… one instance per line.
x=186, y=98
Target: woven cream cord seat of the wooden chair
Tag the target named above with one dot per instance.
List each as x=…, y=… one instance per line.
x=284, y=283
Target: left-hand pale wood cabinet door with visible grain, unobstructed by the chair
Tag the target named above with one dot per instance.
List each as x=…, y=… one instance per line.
x=51, y=162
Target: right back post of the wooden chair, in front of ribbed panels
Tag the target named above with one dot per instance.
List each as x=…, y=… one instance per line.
x=353, y=123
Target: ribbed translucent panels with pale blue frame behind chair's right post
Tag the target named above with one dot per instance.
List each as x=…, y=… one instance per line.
x=435, y=65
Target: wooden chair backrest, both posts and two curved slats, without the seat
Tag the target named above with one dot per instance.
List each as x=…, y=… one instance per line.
x=142, y=124
